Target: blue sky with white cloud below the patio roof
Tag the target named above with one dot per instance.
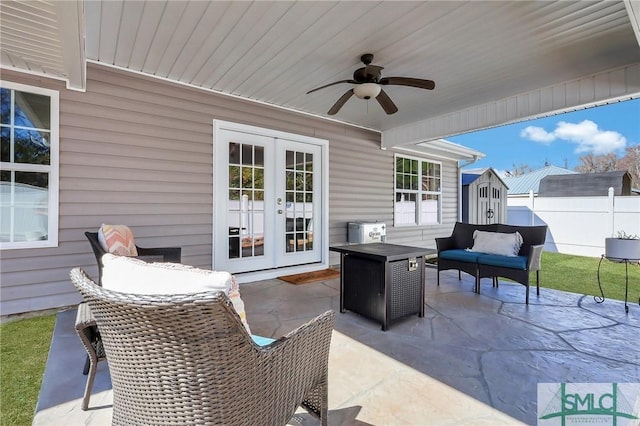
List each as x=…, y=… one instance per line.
x=559, y=140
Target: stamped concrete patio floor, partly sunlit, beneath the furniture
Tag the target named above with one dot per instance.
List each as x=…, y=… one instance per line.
x=473, y=359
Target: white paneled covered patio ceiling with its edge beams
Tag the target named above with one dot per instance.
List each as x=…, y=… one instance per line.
x=492, y=62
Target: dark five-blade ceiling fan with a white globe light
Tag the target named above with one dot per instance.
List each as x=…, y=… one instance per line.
x=368, y=81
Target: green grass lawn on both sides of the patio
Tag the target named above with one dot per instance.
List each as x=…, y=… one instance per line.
x=24, y=344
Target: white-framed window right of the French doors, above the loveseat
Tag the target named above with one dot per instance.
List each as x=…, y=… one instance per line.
x=417, y=192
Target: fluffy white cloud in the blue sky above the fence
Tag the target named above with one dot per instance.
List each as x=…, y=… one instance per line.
x=588, y=137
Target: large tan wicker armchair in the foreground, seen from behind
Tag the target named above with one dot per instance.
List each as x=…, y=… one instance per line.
x=187, y=358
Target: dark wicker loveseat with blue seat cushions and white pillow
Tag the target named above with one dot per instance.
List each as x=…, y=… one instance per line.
x=492, y=251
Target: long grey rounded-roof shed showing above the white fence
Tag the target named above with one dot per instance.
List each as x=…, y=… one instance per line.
x=586, y=184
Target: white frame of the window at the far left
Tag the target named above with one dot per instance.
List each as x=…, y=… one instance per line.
x=52, y=168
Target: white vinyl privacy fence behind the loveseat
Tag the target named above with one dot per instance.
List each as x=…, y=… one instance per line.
x=577, y=225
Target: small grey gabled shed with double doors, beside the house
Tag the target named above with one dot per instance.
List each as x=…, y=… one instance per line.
x=484, y=197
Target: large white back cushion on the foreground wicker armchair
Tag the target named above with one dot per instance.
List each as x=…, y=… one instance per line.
x=130, y=275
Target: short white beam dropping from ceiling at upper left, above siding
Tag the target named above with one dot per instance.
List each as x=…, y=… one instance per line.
x=71, y=29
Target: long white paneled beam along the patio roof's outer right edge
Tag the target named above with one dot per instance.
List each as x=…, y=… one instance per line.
x=594, y=90
